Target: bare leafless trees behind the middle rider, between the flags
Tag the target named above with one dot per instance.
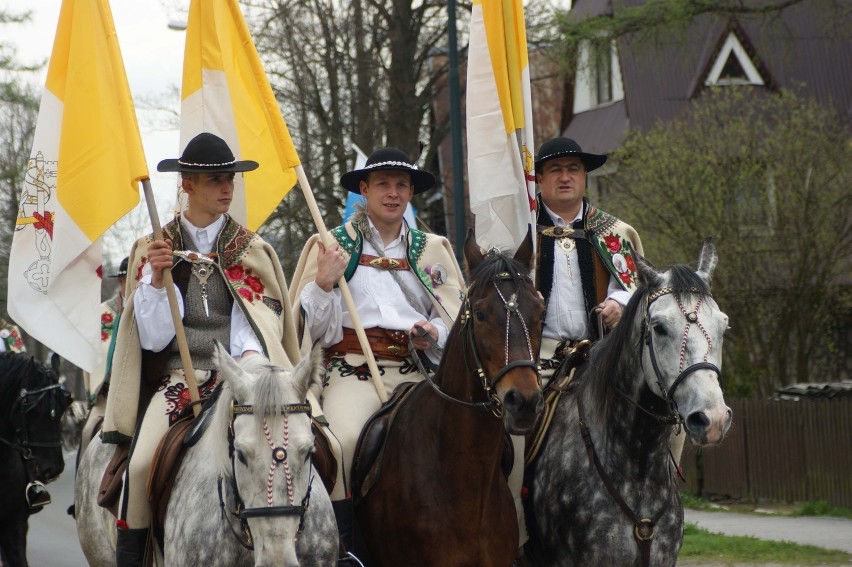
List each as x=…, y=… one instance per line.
x=359, y=71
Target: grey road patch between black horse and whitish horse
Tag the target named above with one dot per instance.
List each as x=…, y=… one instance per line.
x=52, y=538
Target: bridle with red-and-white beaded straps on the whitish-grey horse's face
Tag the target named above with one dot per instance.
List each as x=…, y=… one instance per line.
x=279, y=457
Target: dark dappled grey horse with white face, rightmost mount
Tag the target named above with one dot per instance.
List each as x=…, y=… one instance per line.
x=602, y=488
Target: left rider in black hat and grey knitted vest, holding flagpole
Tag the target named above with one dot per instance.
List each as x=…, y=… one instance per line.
x=230, y=289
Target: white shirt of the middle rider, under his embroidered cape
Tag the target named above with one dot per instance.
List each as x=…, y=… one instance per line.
x=378, y=299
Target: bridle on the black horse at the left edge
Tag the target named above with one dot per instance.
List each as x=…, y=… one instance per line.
x=36, y=494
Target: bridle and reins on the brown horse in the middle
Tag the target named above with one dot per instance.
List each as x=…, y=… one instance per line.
x=492, y=403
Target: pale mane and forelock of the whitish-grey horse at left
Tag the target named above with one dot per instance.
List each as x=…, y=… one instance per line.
x=270, y=392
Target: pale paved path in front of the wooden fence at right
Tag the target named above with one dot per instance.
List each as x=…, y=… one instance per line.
x=822, y=531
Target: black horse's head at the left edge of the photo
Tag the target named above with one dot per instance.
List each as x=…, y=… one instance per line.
x=32, y=405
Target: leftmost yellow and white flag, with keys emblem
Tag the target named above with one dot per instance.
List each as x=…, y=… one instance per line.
x=81, y=178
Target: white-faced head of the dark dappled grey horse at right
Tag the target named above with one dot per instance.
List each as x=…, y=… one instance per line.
x=682, y=331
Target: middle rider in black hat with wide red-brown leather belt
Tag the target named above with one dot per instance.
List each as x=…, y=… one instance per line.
x=403, y=281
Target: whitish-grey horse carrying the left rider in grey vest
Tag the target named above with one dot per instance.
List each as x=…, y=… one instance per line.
x=256, y=451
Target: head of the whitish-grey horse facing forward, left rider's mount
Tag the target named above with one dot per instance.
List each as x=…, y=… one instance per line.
x=270, y=443
